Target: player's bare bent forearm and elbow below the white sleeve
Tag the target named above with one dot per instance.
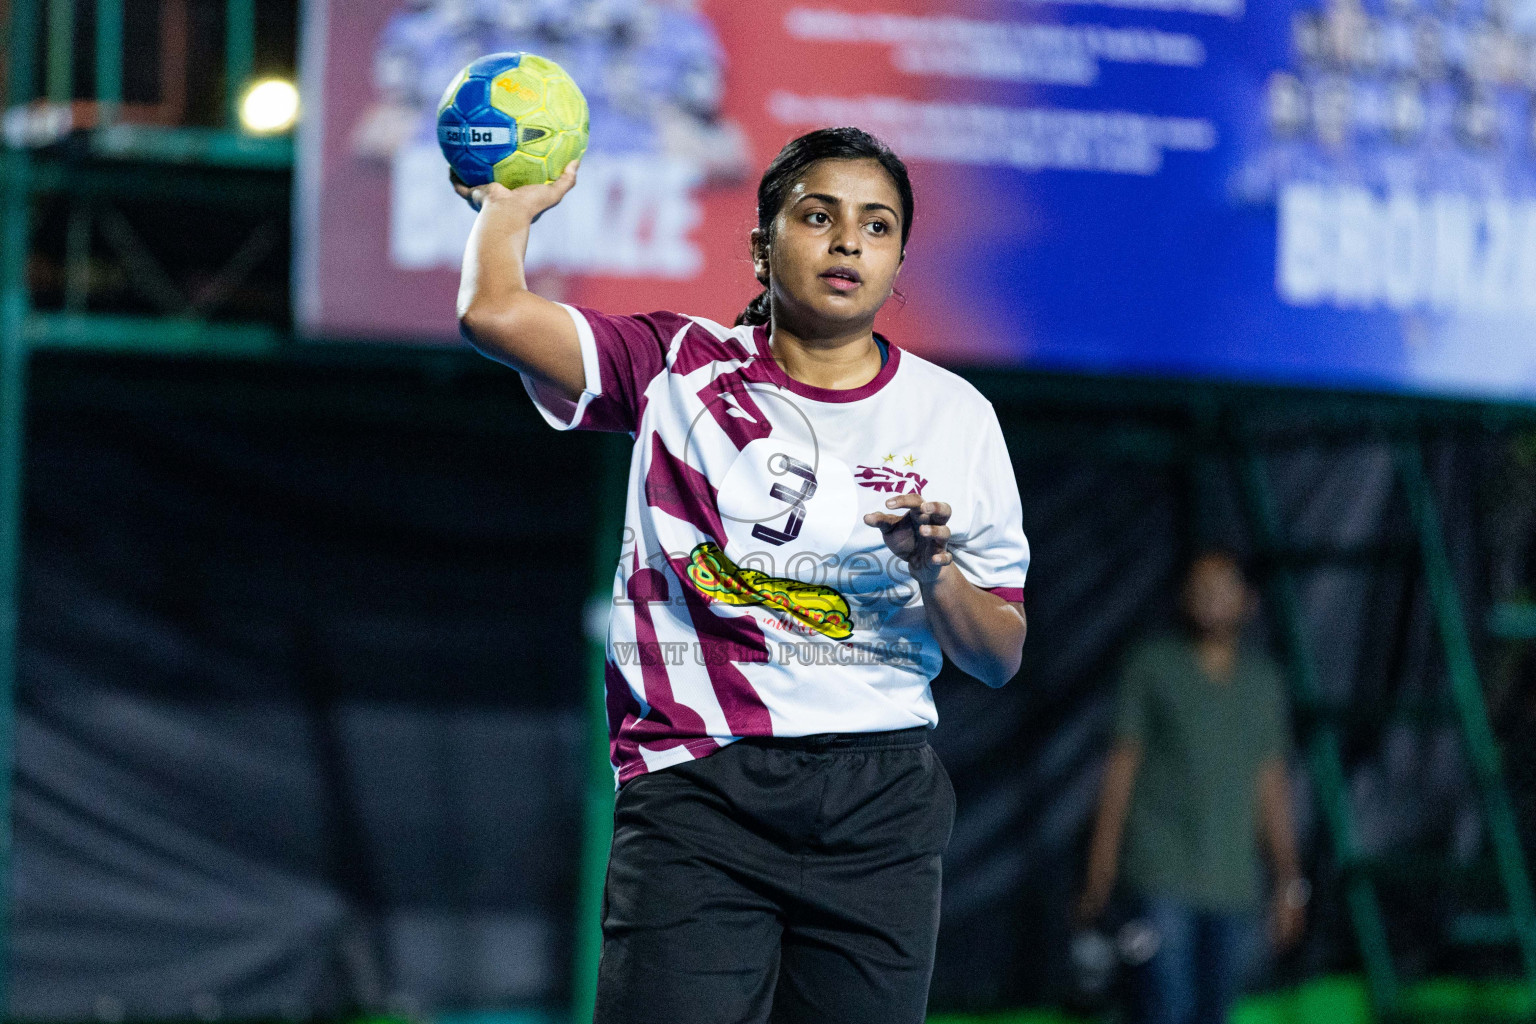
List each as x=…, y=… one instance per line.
x=979, y=632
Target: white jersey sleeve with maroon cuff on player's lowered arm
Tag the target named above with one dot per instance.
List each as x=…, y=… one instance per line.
x=995, y=553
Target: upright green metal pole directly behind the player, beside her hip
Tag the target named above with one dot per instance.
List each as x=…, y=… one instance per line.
x=598, y=825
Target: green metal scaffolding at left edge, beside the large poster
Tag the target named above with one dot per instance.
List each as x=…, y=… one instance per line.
x=118, y=153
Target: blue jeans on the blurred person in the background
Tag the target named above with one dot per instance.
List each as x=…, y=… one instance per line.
x=1199, y=968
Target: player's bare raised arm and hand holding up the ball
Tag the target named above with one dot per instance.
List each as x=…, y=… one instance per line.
x=498, y=315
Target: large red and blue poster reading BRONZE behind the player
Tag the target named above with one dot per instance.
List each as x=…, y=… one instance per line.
x=1320, y=191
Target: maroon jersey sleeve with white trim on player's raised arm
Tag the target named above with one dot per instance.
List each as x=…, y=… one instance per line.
x=620, y=355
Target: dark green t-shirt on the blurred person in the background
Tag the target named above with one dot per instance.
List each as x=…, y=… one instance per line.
x=1193, y=828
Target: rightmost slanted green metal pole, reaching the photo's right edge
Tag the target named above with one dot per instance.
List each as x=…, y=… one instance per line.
x=1466, y=689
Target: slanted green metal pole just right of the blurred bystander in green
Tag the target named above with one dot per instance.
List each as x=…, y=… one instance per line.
x=1325, y=758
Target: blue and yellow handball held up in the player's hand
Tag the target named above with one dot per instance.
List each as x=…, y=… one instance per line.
x=517, y=119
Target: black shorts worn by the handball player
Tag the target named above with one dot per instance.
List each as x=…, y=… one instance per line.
x=778, y=880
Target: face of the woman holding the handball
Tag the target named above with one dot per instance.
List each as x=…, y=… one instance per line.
x=835, y=249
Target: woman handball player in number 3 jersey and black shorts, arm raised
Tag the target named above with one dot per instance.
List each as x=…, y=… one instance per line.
x=815, y=518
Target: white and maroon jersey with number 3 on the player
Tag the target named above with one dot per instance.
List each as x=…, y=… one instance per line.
x=750, y=598
